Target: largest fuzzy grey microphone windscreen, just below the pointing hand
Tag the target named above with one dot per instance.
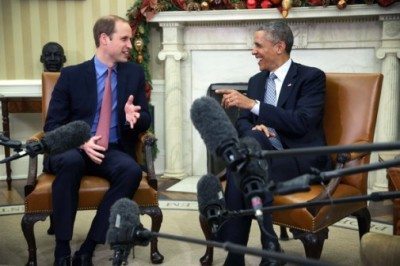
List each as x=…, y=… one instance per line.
x=213, y=123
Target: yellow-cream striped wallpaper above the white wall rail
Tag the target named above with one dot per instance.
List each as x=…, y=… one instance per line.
x=26, y=25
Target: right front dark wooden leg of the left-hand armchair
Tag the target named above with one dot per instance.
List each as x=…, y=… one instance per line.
x=156, y=220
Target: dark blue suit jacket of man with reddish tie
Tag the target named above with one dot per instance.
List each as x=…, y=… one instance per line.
x=75, y=97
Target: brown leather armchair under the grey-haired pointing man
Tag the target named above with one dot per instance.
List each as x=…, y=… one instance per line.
x=351, y=109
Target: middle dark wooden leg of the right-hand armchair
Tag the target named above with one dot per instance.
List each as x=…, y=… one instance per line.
x=312, y=242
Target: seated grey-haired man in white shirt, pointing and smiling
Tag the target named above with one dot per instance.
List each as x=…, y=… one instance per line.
x=283, y=109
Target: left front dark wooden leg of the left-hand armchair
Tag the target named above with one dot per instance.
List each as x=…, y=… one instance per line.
x=27, y=224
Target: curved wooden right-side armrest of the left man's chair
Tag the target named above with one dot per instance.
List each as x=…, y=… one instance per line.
x=144, y=155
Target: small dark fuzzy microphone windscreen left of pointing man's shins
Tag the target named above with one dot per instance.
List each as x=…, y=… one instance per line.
x=209, y=193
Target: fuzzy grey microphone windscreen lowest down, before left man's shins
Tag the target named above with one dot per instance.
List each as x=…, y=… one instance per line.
x=124, y=218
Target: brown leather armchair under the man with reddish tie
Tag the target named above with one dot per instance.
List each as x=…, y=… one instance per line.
x=38, y=187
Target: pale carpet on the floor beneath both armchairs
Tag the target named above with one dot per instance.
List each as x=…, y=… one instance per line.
x=341, y=248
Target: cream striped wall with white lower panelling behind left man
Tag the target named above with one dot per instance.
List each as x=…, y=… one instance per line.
x=26, y=25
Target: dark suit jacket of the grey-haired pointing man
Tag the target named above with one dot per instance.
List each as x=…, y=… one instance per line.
x=297, y=118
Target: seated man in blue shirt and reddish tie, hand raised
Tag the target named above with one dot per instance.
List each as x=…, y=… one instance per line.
x=78, y=95
